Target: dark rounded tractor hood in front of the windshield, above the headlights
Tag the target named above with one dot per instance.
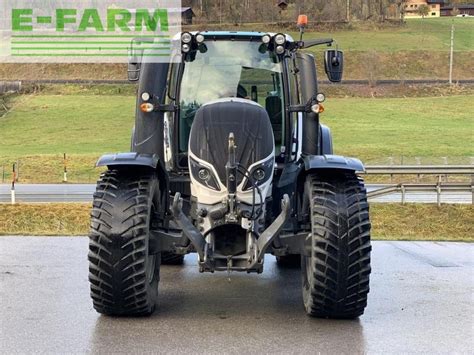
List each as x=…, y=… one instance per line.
x=214, y=121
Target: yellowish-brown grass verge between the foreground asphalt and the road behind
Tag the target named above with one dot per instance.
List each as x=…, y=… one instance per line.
x=389, y=221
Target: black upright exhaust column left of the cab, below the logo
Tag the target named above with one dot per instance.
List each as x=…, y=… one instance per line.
x=148, y=131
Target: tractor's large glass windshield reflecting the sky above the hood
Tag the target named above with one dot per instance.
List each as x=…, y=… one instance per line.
x=231, y=69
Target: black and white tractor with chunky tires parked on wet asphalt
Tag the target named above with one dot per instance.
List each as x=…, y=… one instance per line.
x=229, y=160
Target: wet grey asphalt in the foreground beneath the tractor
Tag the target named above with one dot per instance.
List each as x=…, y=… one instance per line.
x=421, y=301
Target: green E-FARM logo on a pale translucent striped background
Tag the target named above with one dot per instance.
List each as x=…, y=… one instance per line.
x=88, y=30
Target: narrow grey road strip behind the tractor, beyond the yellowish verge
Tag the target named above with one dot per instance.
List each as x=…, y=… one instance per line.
x=83, y=193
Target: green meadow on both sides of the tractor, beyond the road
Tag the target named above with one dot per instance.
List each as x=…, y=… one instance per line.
x=40, y=128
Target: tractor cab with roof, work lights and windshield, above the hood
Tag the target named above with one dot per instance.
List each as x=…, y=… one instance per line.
x=265, y=68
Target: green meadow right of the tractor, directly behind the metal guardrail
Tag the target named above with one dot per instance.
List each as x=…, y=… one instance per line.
x=412, y=127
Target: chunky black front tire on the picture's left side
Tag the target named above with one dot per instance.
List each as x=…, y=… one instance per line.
x=123, y=274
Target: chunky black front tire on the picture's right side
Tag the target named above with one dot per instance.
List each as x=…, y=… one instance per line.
x=336, y=264
